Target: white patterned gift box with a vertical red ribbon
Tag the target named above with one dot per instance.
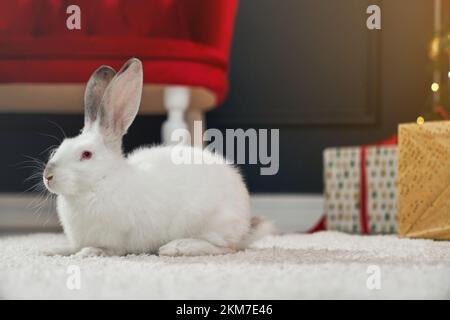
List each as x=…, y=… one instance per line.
x=360, y=188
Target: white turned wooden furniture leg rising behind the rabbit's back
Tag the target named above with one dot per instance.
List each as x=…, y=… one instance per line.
x=176, y=101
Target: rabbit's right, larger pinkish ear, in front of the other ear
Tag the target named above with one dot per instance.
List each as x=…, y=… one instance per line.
x=121, y=100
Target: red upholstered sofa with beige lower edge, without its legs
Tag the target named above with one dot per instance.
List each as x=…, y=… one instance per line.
x=181, y=42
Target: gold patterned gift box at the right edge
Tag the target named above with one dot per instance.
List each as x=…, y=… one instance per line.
x=424, y=180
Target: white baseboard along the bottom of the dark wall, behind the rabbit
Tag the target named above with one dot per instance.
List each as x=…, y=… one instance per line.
x=289, y=212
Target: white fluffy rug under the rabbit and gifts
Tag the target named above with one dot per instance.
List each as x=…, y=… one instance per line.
x=323, y=265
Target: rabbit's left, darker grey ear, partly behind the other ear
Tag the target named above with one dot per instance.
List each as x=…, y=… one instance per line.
x=93, y=94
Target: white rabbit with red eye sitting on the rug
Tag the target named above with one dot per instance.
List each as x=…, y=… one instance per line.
x=111, y=204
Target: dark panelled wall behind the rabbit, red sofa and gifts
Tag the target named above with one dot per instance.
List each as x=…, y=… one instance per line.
x=308, y=67
